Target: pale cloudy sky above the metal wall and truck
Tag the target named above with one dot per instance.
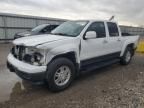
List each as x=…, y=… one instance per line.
x=126, y=12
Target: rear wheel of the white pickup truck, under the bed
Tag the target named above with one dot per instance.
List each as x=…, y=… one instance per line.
x=124, y=59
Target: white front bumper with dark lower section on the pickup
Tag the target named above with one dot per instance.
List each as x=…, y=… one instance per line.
x=26, y=71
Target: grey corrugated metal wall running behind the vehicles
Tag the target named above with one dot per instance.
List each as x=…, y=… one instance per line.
x=12, y=23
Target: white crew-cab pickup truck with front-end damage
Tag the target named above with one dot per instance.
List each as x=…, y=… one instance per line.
x=71, y=48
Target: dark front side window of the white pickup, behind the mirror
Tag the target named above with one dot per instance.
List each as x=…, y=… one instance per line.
x=99, y=28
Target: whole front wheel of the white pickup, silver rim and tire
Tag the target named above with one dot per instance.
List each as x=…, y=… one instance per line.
x=60, y=74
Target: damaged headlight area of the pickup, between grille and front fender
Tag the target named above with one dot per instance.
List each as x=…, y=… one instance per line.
x=35, y=56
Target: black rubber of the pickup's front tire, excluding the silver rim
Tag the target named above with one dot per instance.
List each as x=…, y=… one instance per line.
x=52, y=69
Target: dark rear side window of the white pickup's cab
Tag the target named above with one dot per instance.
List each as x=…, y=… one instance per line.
x=113, y=29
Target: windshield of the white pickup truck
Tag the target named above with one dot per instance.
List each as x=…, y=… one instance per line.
x=70, y=28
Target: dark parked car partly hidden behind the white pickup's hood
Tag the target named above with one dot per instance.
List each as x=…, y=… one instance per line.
x=41, y=29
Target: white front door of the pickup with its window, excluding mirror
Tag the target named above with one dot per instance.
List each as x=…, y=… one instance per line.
x=92, y=48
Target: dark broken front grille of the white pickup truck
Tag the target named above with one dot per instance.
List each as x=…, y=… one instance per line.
x=18, y=52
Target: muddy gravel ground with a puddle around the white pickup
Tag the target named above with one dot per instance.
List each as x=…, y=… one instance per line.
x=114, y=86
